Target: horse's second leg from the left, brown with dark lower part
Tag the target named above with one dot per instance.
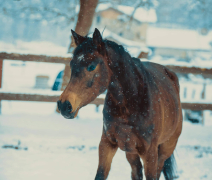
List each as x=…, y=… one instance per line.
x=136, y=166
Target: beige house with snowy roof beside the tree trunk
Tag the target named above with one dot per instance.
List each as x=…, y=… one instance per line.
x=127, y=22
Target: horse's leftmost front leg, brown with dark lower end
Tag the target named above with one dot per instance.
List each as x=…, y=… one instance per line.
x=106, y=154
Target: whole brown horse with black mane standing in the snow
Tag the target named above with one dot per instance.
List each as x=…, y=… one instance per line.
x=142, y=110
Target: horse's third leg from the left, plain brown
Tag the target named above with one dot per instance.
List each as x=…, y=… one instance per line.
x=150, y=163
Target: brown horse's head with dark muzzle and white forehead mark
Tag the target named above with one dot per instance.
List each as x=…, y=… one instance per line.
x=89, y=74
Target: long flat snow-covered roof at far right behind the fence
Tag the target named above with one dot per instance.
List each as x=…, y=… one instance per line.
x=178, y=38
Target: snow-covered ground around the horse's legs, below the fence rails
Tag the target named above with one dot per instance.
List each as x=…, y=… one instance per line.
x=37, y=145
